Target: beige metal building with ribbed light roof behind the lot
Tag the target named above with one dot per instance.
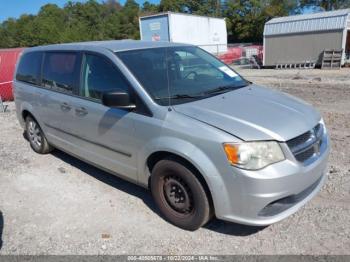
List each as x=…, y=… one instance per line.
x=301, y=38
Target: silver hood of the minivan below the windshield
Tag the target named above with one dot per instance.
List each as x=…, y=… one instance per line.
x=254, y=113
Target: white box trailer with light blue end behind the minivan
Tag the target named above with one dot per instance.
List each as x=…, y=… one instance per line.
x=207, y=32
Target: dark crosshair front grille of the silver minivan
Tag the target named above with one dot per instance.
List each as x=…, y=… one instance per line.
x=307, y=145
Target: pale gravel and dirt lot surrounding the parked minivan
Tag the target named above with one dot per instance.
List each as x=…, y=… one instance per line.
x=56, y=204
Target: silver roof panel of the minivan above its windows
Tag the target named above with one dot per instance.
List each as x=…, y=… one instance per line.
x=113, y=45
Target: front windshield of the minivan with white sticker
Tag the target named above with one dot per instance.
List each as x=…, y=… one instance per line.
x=175, y=75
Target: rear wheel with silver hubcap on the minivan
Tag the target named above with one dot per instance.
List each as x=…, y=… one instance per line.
x=36, y=137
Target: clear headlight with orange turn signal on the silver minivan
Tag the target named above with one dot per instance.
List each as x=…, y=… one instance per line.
x=253, y=155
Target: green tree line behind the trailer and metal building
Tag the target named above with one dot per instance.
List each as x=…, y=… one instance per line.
x=109, y=19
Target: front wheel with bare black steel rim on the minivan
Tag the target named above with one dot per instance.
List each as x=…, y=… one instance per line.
x=179, y=194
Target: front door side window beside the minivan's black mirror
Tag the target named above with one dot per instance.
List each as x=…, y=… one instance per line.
x=99, y=76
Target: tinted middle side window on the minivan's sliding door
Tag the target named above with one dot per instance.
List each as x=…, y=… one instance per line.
x=61, y=71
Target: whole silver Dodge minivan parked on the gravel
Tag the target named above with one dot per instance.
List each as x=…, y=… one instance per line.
x=173, y=118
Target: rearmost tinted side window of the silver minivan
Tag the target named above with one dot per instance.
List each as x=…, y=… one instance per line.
x=29, y=68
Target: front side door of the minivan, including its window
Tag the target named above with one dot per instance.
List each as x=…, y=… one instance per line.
x=103, y=135
